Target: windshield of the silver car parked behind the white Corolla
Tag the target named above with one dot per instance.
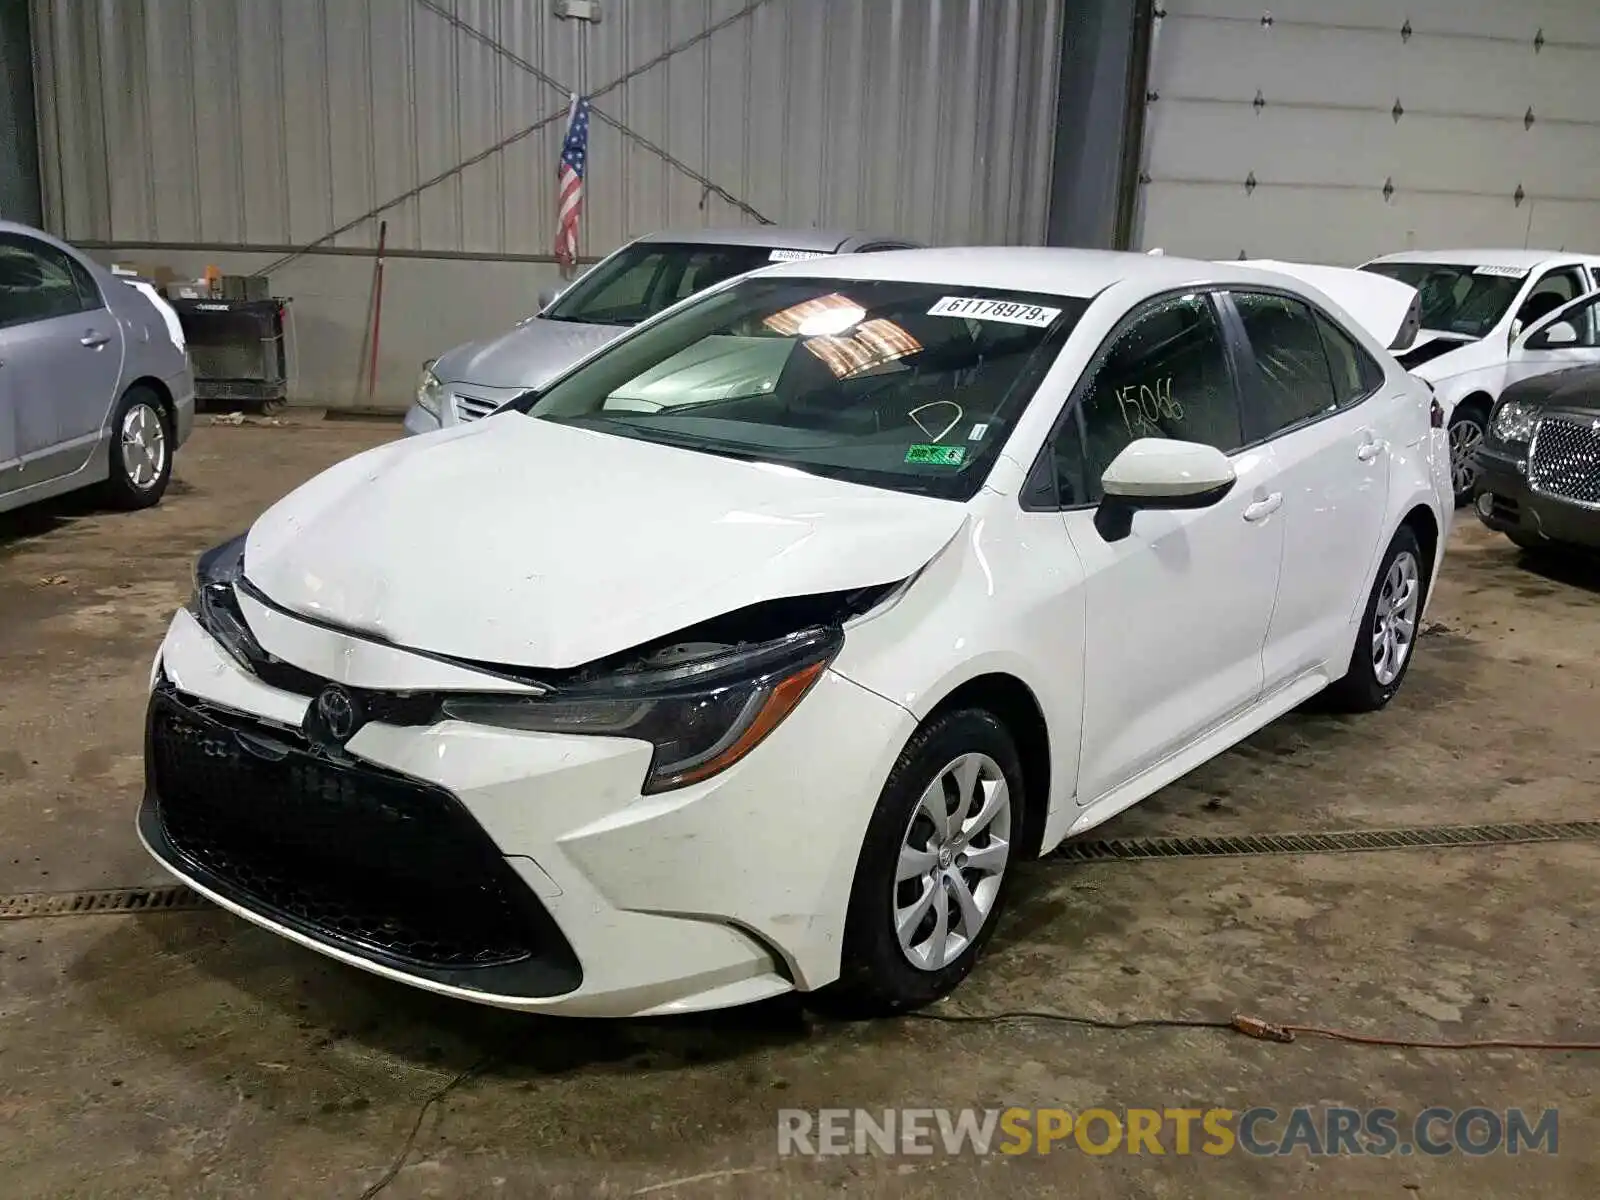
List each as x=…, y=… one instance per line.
x=644, y=279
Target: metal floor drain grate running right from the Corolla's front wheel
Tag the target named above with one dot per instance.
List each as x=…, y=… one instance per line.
x=1422, y=838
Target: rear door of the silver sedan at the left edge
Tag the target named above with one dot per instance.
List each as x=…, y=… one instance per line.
x=62, y=353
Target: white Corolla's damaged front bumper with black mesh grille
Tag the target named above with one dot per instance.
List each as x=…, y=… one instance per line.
x=559, y=886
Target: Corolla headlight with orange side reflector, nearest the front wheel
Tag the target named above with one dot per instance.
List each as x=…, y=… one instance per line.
x=702, y=716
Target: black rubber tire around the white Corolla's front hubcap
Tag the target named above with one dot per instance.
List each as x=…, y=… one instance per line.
x=876, y=975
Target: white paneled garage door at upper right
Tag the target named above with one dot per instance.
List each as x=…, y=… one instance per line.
x=1337, y=130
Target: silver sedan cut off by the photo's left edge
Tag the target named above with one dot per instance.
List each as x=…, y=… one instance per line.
x=95, y=385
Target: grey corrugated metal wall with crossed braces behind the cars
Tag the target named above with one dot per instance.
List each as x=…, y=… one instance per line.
x=271, y=122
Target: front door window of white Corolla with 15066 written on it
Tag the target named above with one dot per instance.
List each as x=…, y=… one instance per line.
x=1166, y=375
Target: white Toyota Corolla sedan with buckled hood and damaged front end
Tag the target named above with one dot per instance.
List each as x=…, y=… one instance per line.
x=754, y=654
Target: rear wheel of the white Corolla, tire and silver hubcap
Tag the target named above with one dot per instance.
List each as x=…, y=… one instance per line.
x=1390, y=628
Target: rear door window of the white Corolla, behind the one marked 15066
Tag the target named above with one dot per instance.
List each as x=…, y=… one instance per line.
x=1292, y=369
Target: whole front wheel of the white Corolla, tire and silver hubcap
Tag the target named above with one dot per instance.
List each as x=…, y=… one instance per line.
x=934, y=874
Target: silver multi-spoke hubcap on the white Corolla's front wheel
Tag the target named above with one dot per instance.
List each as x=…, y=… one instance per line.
x=953, y=860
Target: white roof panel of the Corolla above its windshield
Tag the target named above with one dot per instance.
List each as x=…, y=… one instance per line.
x=1054, y=271
